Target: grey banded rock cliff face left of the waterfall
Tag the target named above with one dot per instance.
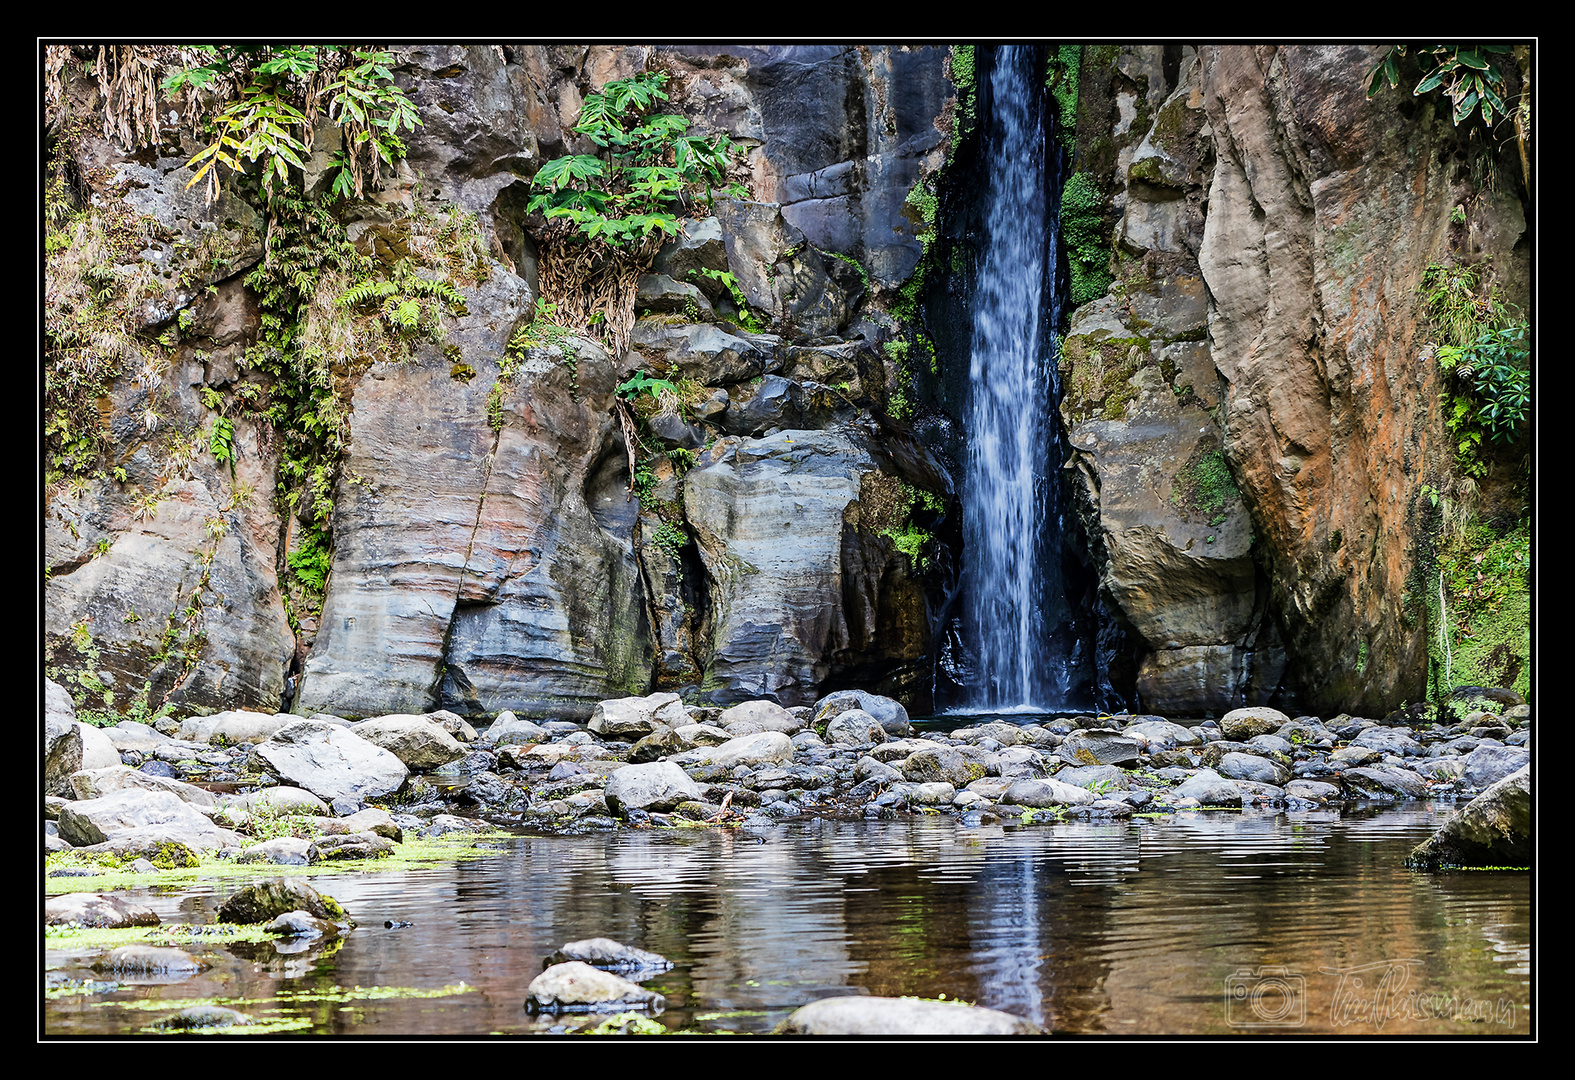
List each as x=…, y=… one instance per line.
x=491, y=549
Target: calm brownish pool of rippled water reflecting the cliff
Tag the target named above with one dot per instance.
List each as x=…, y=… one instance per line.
x=1204, y=923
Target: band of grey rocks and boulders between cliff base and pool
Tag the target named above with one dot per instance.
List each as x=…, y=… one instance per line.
x=220, y=785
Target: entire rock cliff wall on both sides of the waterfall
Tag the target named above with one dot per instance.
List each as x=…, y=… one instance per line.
x=1251, y=407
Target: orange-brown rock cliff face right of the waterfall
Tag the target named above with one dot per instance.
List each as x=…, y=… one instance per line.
x=1275, y=227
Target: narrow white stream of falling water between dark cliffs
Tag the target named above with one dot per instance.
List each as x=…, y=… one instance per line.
x=1010, y=512
